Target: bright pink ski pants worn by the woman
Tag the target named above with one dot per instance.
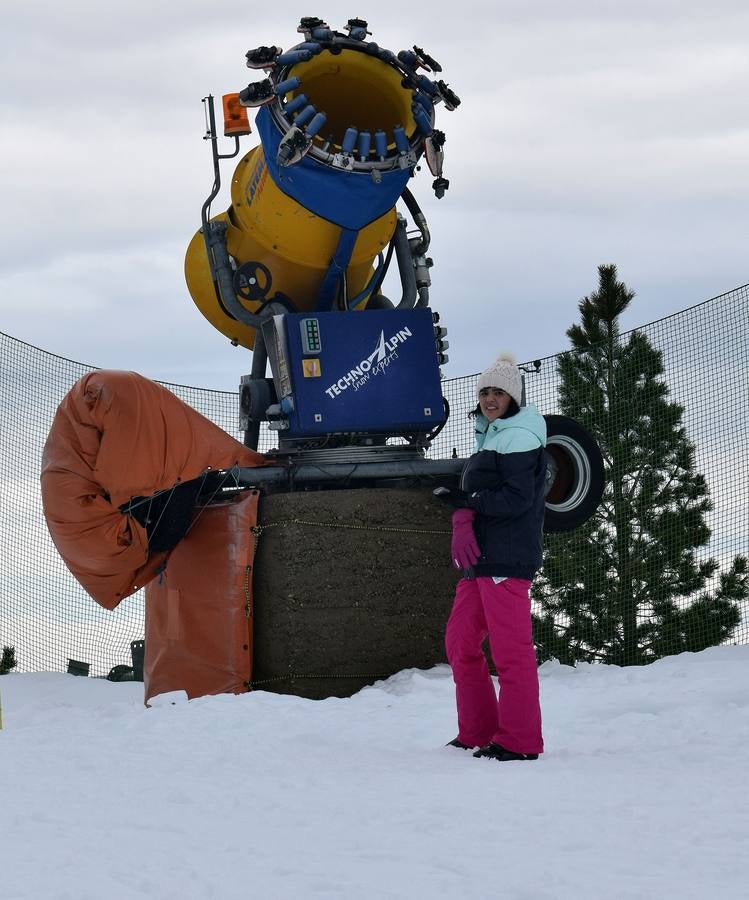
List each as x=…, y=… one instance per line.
x=503, y=612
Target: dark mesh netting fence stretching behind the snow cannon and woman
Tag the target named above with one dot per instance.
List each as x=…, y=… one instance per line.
x=657, y=570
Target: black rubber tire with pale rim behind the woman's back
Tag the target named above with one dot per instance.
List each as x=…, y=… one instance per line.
x=574, y=474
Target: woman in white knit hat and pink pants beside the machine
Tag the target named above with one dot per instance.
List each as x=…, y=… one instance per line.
x=497, y=541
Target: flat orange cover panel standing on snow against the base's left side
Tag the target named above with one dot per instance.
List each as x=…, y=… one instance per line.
x=199, y=610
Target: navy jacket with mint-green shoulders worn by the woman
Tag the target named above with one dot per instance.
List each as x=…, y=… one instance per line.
x=505, y=480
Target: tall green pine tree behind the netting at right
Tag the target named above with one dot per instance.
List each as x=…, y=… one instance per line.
x=628, y=587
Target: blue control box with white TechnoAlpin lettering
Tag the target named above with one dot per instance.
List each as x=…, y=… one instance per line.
x=342, y=372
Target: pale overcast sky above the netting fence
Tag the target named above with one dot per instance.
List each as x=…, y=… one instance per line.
x=590, y=132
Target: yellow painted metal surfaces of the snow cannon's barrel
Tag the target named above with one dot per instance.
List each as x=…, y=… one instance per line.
x=267, y=226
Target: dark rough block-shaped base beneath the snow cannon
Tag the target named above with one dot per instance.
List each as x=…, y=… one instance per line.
x=337, y=608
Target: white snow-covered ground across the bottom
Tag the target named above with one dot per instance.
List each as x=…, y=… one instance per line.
x=641, y=793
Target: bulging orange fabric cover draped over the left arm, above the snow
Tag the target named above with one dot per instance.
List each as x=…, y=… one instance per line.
x=117, y=435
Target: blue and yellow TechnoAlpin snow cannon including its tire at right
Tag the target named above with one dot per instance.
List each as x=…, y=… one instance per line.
x=294, y=269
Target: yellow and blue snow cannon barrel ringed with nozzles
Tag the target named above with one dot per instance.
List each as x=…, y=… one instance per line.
x=342, y=124
